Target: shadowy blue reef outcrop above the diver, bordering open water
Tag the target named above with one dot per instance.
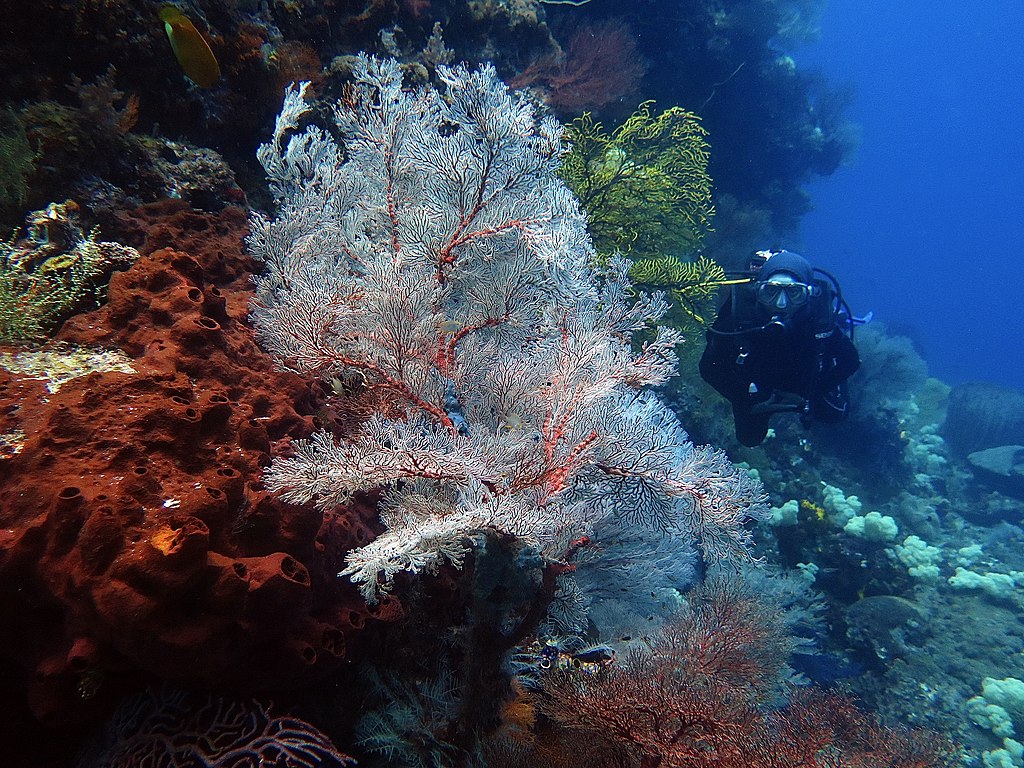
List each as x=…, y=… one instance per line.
x=774, y=125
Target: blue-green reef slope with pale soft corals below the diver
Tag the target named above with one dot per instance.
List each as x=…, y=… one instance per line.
x=918, y=622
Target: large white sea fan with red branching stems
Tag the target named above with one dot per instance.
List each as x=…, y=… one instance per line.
x=435, y=254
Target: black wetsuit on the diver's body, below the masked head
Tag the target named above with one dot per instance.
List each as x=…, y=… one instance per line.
x=801, y=367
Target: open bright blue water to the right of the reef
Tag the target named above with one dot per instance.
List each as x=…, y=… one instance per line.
x=926, y=227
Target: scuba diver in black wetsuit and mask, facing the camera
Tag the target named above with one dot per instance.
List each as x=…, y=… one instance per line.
x=781, y=346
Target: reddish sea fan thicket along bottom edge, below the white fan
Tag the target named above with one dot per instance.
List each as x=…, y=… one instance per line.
x=700, y=697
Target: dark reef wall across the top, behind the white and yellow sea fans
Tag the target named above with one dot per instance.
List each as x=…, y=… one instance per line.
x=775, y=126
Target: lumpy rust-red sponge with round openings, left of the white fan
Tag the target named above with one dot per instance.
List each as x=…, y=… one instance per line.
x=136, y=535
